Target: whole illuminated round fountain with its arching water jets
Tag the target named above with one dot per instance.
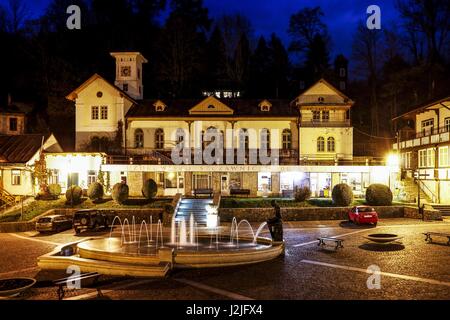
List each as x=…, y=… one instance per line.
x=131, y=250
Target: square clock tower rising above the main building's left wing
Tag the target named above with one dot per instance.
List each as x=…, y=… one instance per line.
x=129, y=73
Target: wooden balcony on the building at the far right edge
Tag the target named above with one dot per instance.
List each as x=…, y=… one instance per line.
x=424, y=138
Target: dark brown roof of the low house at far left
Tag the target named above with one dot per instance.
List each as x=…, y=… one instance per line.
x=21, y=148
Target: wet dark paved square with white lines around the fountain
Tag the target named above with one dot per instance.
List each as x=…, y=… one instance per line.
x=410, y=269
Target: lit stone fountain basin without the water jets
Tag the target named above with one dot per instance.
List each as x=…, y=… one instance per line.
x=108, y=256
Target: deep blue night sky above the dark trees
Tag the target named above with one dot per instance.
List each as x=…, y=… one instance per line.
x=269, y=16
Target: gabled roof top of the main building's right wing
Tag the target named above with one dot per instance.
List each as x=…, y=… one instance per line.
x=313, y=97
